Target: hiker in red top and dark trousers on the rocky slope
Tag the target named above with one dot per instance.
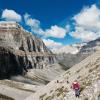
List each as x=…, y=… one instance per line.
x=76, y=87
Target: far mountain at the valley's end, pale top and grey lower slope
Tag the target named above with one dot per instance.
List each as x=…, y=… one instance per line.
x=72, y=57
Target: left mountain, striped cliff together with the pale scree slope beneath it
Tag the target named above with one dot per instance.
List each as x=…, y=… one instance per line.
x=22, y=53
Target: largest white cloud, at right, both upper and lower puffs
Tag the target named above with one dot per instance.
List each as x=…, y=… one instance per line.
x=87, y=24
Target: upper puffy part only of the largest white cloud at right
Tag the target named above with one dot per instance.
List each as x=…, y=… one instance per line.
x=89, y=17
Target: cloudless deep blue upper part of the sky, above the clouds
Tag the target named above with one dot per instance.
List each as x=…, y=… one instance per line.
x=49, y=12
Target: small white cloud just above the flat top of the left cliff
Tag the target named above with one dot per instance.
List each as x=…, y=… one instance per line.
x=11, y=15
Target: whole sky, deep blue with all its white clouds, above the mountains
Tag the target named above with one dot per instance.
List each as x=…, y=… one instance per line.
x=57, y=22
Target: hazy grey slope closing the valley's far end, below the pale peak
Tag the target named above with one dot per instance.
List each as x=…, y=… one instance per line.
x=68, y=60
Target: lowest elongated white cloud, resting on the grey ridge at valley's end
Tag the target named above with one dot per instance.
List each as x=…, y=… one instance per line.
x=58, y=47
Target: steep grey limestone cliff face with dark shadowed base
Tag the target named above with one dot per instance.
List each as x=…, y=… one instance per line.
x=20, y=50
